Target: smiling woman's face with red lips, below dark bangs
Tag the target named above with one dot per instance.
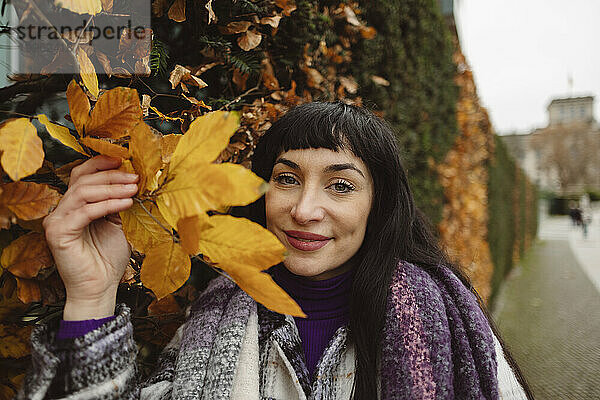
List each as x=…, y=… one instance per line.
x=318, y=205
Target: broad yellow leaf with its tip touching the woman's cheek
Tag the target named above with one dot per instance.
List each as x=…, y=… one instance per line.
x=208, y=187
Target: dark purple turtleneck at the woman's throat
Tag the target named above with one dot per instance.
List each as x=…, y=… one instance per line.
x=326, y=304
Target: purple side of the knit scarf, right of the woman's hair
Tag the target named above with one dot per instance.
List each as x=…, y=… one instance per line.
x=437, y=343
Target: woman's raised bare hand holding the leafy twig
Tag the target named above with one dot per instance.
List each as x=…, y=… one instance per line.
x=86, y=238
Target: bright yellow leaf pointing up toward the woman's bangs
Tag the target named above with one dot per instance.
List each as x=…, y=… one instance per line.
x=204, y=140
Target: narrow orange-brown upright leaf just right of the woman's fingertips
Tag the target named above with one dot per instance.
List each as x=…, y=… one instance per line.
x=144, y=148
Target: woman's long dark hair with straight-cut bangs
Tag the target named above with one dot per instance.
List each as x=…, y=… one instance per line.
x=396, y=229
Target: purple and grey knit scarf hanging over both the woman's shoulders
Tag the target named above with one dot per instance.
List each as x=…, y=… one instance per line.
x=436, y=342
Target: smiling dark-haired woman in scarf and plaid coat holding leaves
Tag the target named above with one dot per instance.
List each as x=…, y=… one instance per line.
x=388, y=315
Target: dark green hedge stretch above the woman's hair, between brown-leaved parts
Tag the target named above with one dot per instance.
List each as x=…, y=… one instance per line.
x=413, y=51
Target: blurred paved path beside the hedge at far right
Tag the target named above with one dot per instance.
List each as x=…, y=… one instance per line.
x=549, y=312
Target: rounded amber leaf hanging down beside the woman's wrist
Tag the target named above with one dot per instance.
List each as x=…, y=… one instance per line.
x=165, y=269
